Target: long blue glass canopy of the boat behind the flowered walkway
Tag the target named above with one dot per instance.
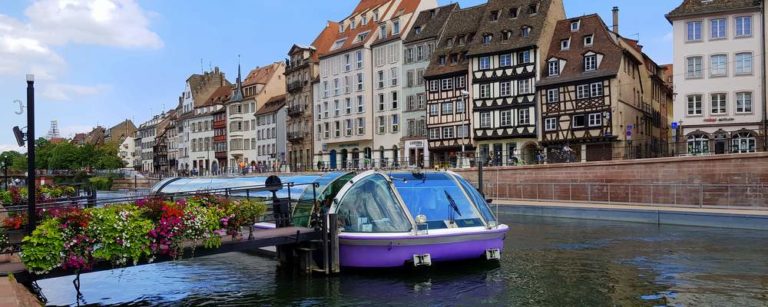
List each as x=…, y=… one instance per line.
x=238, y=185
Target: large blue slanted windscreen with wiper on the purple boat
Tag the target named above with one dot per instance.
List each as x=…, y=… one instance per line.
x=436, y=196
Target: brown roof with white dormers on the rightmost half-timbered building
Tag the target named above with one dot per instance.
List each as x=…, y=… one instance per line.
x=604, y=42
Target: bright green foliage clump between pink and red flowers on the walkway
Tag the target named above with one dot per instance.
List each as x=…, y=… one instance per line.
x=121, y=234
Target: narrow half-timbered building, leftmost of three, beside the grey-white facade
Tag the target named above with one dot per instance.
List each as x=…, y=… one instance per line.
x=448, y=93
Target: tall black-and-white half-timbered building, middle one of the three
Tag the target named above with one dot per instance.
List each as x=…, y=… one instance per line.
x=512, y=38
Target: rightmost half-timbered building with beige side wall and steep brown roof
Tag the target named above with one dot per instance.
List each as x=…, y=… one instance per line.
x=600, y=98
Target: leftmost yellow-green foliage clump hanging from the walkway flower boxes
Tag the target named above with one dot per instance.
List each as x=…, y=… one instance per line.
x=43, y=251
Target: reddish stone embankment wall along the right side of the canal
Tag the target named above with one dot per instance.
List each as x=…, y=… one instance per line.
x=711, y=181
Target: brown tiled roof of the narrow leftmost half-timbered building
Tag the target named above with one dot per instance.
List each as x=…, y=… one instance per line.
x=461, y=22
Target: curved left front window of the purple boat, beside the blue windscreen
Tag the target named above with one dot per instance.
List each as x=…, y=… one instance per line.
x=370, y=206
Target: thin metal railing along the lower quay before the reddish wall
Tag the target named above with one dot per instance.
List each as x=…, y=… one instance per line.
x=730, y=196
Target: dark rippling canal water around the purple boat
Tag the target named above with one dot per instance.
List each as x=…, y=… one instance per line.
x=546, y=262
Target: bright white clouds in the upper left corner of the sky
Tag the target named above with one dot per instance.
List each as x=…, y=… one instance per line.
x=30, y=46
